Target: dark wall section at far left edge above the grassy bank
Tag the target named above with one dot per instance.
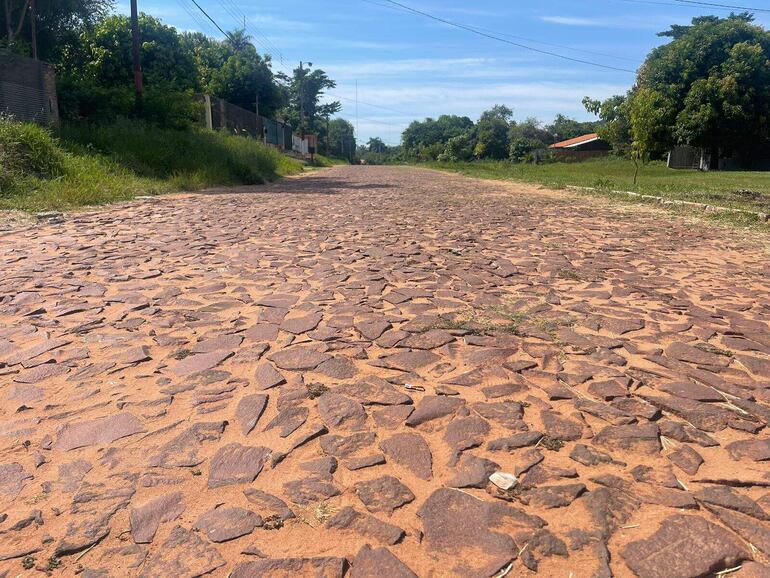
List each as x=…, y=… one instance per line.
x=28, y=90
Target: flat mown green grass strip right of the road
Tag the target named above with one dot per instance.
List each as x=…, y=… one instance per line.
x=736, y=189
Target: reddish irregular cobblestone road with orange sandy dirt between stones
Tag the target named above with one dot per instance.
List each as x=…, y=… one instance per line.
x=318, y=378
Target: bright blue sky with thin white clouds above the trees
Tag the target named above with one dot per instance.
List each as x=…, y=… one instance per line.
x=408, y=66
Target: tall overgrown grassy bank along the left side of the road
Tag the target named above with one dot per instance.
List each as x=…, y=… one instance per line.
x=97, y=164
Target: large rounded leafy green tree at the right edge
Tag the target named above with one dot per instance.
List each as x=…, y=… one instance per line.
x=710, y=85
